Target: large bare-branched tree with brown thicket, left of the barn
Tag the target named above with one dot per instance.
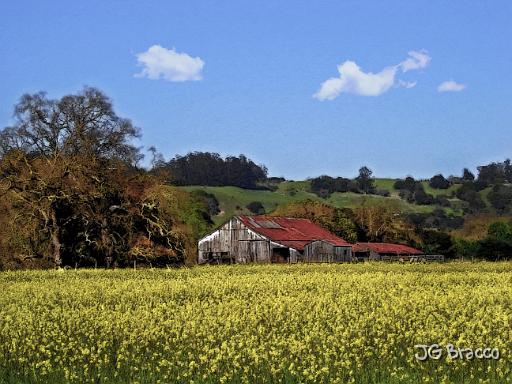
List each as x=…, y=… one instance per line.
x=72, y=192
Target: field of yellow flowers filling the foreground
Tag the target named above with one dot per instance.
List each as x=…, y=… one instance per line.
x=255, y=324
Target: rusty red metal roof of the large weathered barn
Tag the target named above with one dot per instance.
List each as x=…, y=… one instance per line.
x=292, y=232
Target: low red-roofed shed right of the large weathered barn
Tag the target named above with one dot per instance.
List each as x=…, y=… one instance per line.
x=383, y=251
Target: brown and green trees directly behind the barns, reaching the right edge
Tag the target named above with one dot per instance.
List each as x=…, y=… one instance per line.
x=386, y=222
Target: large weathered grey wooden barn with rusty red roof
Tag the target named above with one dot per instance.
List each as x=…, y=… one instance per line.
x=268, y=239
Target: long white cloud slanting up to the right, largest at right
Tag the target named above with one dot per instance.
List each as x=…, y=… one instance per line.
x=353, y=80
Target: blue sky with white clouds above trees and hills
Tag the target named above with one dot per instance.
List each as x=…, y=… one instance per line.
x=250, y=77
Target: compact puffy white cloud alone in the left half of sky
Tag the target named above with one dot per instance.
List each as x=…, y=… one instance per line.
x=162, y=63
